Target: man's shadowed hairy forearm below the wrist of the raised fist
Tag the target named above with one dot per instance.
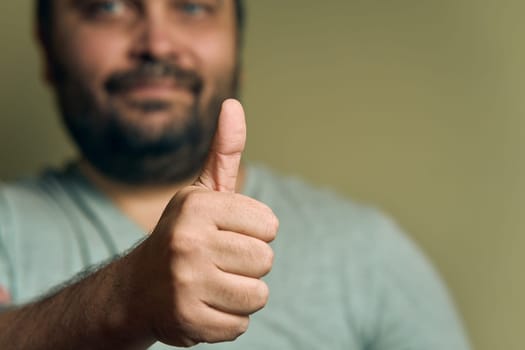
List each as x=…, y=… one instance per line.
x=92, y=313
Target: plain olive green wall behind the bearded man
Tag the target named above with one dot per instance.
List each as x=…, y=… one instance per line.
x=415, y=106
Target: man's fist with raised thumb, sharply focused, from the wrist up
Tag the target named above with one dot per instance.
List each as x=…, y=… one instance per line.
x=200, y=270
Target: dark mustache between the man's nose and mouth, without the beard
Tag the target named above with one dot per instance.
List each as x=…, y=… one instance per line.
x=151, y=71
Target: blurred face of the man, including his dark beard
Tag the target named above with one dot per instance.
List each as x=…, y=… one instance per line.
x=140, y=82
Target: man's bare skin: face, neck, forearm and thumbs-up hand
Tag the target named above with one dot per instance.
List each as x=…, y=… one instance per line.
x=197, y=276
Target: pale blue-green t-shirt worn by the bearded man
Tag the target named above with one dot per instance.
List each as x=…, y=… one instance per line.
x=344, y=276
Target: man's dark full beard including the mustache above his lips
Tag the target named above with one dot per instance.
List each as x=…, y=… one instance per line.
x=129, y=150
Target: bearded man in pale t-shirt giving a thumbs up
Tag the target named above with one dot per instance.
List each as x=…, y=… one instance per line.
x=145, y=88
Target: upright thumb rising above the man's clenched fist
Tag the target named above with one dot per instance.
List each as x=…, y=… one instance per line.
x=222, y=166
